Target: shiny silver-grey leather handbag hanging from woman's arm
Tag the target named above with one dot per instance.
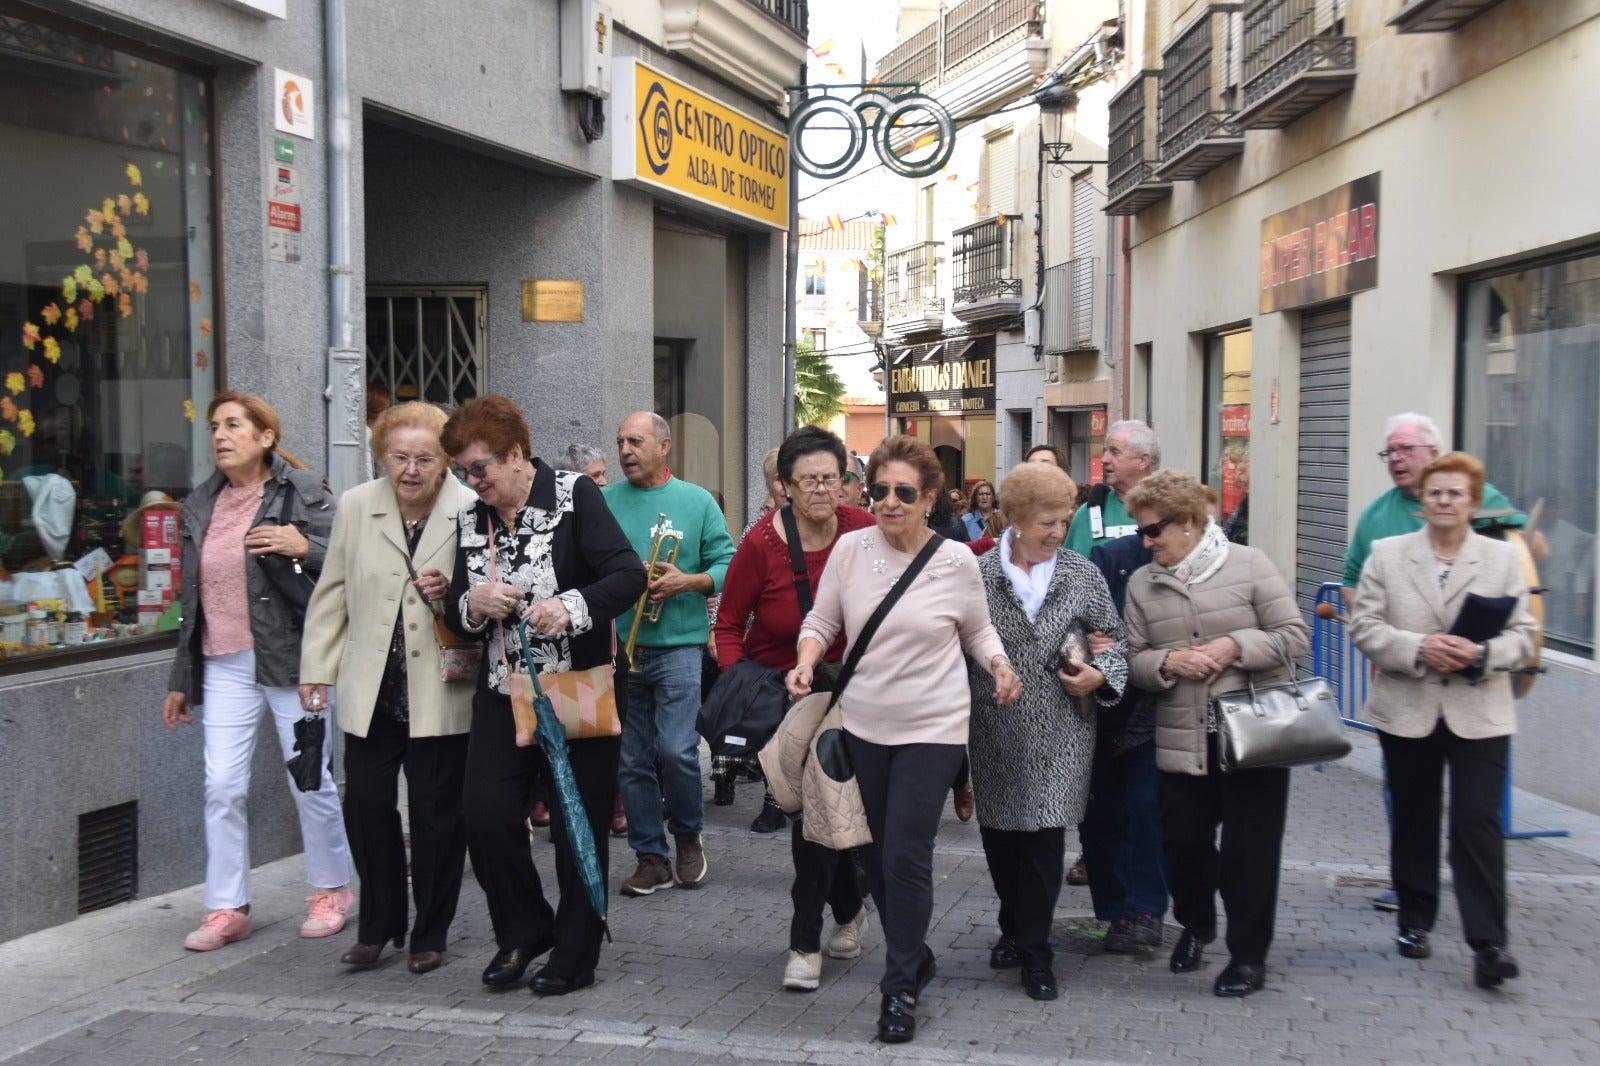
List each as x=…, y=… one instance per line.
x=1286, y=724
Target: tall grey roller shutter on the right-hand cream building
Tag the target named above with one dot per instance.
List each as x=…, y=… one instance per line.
x=1324, y=451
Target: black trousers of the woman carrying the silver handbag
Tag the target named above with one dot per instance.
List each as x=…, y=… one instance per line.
x=1252, y=809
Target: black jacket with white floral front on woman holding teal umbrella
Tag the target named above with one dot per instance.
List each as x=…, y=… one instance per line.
x=566, y=545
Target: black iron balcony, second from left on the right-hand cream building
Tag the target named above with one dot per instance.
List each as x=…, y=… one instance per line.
x=1196, y=127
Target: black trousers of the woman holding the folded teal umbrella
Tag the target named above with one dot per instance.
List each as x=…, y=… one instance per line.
x=498, y=798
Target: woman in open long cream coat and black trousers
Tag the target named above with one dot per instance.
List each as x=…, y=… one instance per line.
x=370, y=633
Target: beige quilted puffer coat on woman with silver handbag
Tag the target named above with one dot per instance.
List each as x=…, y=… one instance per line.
x=1247, y=599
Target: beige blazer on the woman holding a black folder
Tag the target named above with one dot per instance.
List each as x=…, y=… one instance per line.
x=1399, y=603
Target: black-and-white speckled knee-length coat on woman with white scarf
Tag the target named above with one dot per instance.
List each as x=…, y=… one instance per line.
x=1031, y=761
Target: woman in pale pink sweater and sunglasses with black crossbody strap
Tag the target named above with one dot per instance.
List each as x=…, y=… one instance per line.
x=908, y=705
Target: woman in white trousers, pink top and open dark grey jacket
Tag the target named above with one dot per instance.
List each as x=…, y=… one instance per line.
x=239, y=655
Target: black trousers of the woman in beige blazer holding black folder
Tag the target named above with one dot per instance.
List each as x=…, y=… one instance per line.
x=1478, y=848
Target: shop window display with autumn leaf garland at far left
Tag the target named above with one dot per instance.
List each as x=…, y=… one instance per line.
x=106, y=335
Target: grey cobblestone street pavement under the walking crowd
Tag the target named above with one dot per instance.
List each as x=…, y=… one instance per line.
x=695, y=976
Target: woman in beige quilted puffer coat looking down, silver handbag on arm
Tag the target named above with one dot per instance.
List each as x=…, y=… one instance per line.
x=1202, y=619
